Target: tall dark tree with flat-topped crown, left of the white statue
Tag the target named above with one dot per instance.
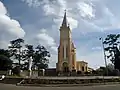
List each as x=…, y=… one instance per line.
x=15, y=49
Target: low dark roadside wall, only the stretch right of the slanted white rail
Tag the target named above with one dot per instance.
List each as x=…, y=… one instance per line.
x=70, y=80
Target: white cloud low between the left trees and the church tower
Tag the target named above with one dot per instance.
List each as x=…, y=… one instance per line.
x=44, y=39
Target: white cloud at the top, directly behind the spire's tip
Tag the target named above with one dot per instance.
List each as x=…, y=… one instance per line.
x=56, y=10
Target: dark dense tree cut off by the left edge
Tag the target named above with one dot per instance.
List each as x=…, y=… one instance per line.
x=5, y=62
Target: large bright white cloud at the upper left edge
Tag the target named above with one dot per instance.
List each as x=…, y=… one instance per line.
x=9, y=25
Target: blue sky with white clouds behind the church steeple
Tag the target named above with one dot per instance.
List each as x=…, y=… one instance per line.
x=38, y=22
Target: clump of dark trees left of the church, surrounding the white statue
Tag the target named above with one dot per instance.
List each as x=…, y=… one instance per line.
x=39, y=54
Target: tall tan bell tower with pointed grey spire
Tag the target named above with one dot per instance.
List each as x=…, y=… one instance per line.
x=65, y=59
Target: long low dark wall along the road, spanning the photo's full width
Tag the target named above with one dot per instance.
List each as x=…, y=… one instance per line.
x=59, y=80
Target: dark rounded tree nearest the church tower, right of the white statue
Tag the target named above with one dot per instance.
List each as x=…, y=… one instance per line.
x=40, y=58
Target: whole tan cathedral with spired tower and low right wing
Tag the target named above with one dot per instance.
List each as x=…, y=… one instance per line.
x=67, y=51
